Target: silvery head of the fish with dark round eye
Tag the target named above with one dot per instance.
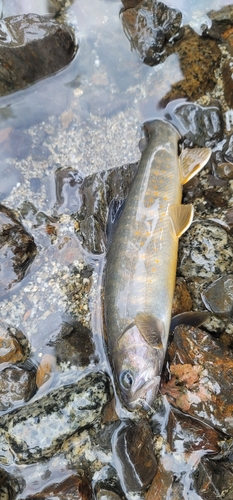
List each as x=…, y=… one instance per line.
x=138, y=365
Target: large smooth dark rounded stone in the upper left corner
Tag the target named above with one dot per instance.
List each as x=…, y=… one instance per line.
x=32, y=47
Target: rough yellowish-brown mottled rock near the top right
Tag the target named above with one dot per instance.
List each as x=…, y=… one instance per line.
x=198, y=59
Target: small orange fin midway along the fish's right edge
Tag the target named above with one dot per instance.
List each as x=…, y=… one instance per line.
x=181, y=217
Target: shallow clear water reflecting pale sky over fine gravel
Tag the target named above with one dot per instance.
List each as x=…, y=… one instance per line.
x=87, y=117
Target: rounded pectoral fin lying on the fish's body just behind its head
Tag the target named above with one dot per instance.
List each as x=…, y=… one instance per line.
x=151, y=328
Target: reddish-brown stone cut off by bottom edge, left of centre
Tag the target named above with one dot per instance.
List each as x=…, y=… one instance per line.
x=73, y=488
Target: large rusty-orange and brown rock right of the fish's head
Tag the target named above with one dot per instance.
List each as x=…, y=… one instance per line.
x=201, y=378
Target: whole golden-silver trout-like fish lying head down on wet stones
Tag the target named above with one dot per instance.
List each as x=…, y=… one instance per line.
x=141, y=264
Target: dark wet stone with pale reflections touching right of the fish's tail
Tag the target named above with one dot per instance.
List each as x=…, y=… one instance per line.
x=200, y=126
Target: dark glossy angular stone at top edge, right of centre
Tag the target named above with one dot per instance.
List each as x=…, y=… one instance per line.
x=149, y=26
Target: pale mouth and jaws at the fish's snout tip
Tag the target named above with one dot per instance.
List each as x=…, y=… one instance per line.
x=144, y=393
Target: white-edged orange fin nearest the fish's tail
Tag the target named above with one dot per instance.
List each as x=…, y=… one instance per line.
x=192, y=161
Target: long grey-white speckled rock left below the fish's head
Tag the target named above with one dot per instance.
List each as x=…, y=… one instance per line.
x=38, y=429
